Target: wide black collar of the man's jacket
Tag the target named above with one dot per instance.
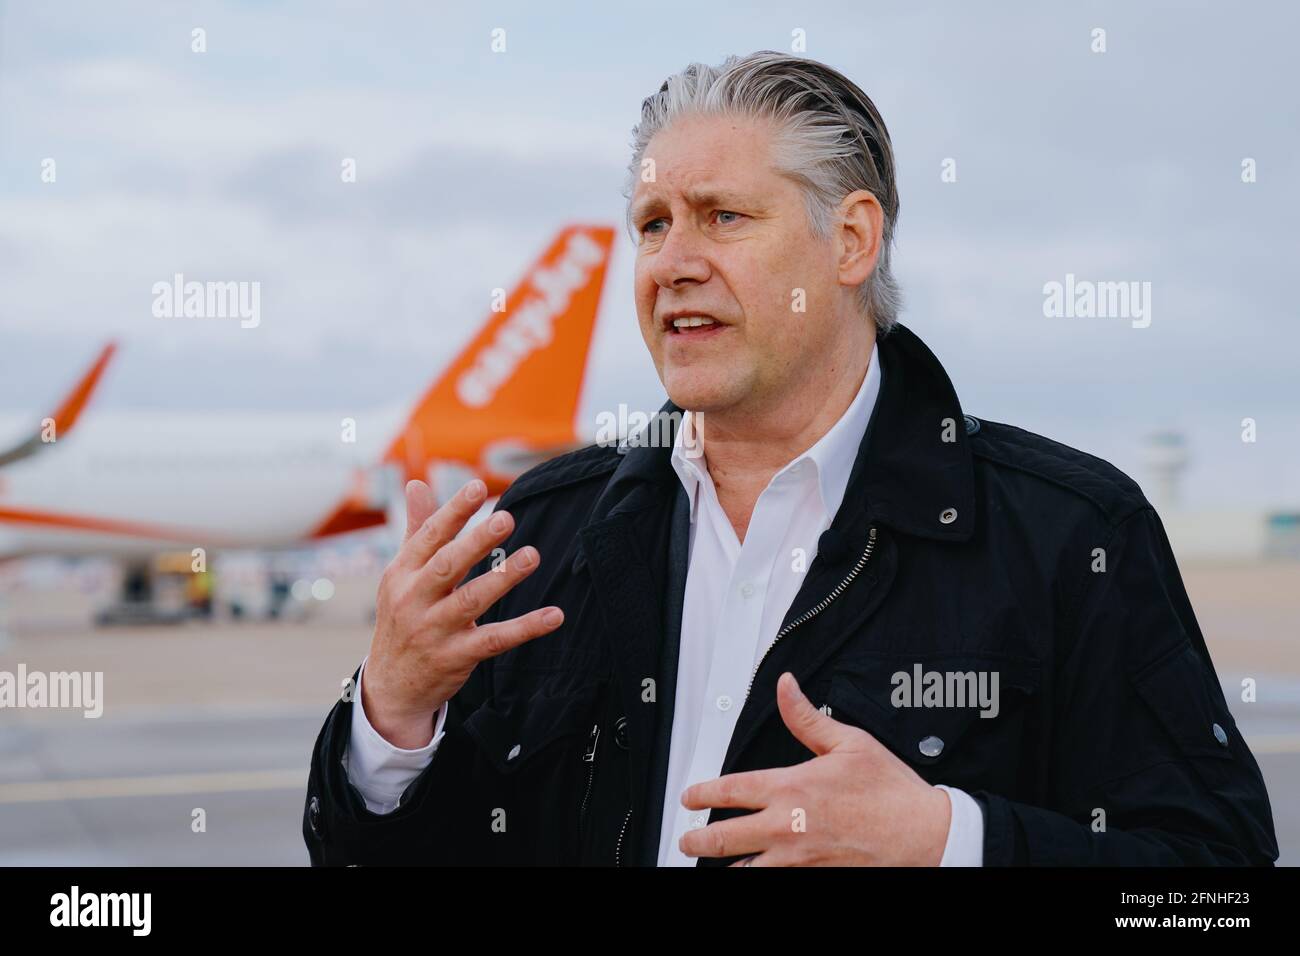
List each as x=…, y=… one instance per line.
x=913, y=471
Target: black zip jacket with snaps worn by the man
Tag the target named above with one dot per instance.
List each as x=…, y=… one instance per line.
x=961, y=546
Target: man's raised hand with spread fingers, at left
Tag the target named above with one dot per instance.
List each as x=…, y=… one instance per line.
x=426, y=639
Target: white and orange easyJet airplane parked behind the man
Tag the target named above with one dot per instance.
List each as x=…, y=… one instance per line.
x=131, y=485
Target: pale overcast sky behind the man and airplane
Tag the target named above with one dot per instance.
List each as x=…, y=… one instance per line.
x=1124, y=166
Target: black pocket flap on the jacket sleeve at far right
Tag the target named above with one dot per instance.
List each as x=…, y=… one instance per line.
x=1178, y=693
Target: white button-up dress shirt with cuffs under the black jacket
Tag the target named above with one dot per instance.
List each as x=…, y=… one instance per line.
x=738, y=595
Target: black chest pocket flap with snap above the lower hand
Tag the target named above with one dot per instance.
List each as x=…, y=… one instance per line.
x=922, y=706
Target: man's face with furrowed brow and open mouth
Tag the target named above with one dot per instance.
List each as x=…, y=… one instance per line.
x=725, y=236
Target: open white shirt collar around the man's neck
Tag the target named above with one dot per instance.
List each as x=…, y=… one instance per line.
x=831, y=457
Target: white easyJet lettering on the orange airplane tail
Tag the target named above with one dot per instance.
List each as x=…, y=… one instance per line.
x=530, y=328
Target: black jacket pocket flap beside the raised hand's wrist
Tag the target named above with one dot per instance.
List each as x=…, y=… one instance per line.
x=513, y=734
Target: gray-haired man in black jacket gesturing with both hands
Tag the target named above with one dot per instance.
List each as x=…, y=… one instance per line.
x=835, y=622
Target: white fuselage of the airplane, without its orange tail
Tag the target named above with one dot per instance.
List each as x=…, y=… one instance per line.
x=127, y=483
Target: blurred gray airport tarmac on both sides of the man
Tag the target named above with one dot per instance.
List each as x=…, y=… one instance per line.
x=222, y=719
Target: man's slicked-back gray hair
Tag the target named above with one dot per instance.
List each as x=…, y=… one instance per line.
x=830, y=140
